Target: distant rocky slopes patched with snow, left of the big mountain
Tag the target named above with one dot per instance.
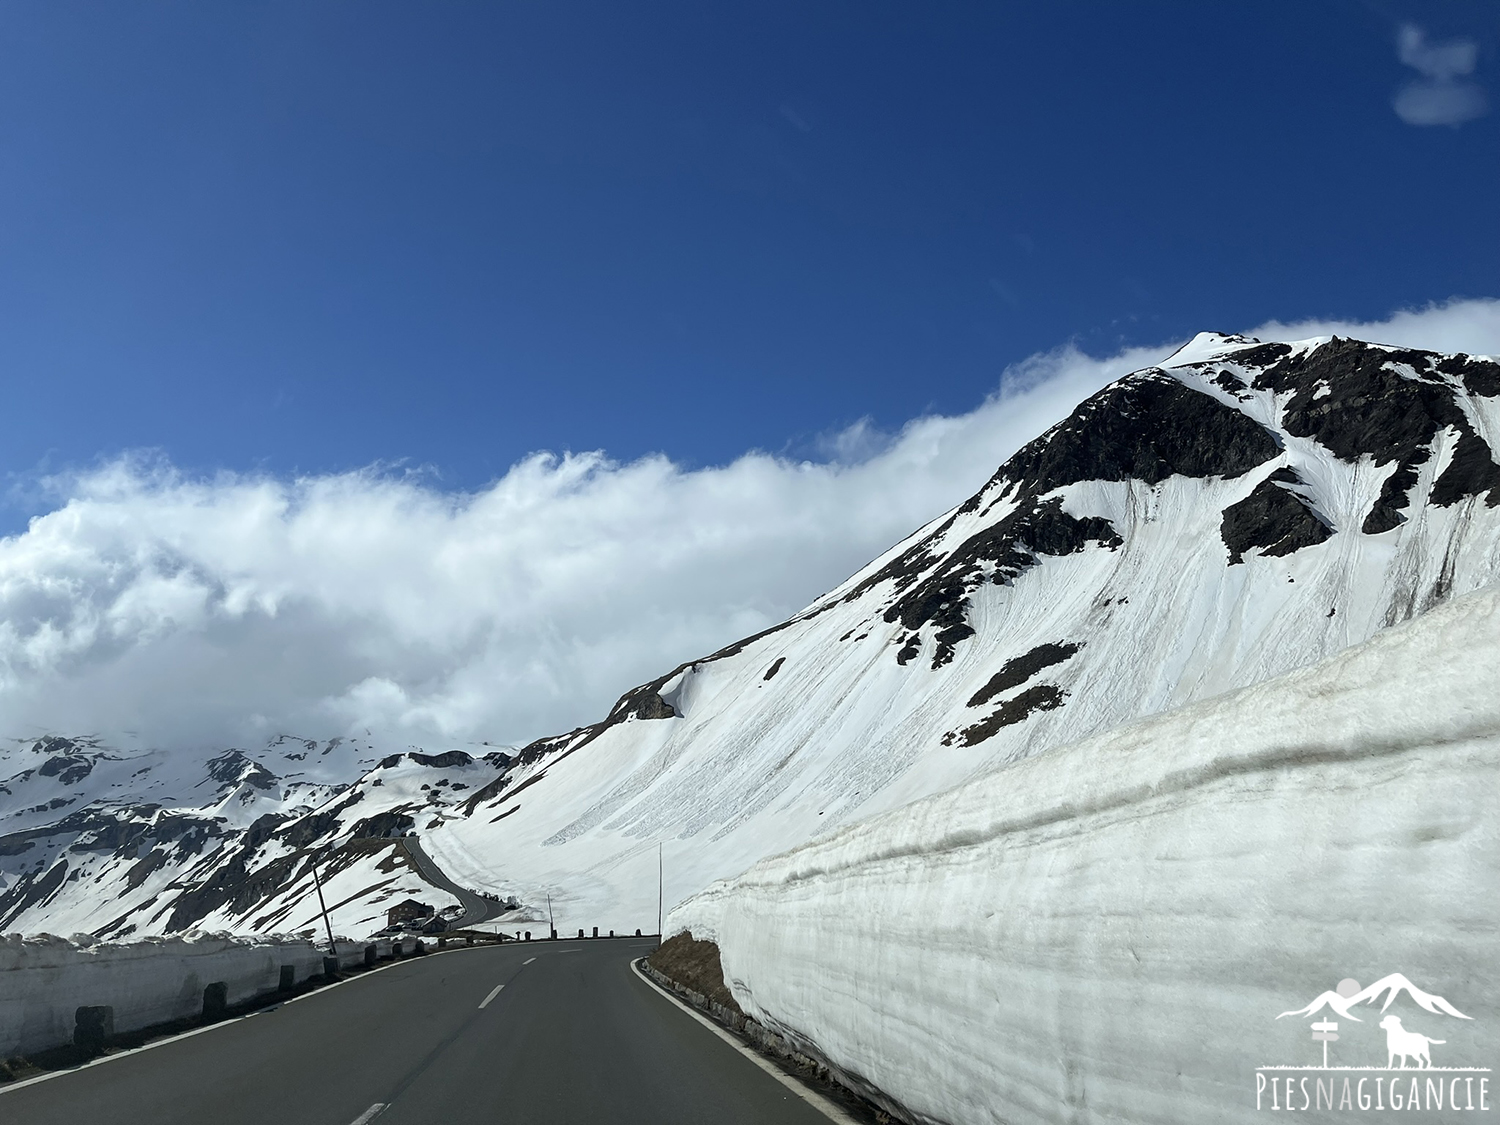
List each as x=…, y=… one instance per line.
x=128, y=842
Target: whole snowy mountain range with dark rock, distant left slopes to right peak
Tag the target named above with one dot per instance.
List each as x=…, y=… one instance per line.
x=1241, y=511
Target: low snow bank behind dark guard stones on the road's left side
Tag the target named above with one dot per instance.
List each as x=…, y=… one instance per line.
x=44, y=980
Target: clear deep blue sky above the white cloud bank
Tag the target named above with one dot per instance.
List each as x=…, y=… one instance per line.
x=307, y=238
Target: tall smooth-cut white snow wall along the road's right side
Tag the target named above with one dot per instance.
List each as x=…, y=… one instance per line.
x=1111, y=931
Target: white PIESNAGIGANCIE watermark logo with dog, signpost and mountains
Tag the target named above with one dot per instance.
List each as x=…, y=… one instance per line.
x=1343, y=1084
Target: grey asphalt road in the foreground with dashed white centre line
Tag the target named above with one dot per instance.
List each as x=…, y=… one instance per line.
x=574, y=1037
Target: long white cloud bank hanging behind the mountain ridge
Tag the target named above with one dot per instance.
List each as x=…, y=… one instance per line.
x=227, y=610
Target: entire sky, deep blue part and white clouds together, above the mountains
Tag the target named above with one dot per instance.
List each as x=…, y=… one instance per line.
x=772, y=286
